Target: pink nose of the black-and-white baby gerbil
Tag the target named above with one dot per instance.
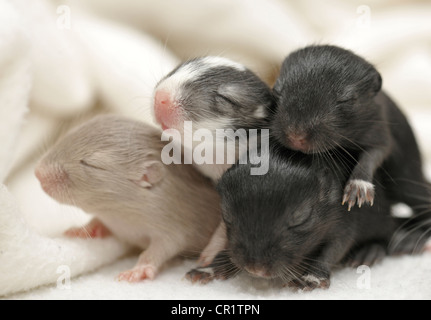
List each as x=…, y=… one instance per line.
x=166, y=109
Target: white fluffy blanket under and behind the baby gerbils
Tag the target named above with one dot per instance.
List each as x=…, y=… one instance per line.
x=62, y=62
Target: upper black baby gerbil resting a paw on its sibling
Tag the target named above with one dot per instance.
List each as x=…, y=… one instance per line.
x=329, y=101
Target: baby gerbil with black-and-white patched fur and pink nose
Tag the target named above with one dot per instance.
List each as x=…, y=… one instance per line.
x=213, y=93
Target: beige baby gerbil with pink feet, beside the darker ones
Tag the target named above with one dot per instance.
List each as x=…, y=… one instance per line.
x=110, y=167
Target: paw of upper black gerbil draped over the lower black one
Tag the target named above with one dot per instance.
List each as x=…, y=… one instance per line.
x=358, y=191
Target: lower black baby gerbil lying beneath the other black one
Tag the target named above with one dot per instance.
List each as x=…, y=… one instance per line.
x=289, y=225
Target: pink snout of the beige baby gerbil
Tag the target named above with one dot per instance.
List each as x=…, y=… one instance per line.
x=52, y=179
